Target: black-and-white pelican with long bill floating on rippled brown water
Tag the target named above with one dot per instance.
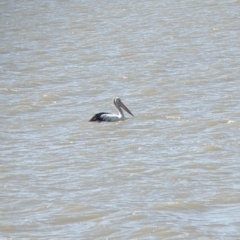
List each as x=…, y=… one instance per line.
x=109, y=117
